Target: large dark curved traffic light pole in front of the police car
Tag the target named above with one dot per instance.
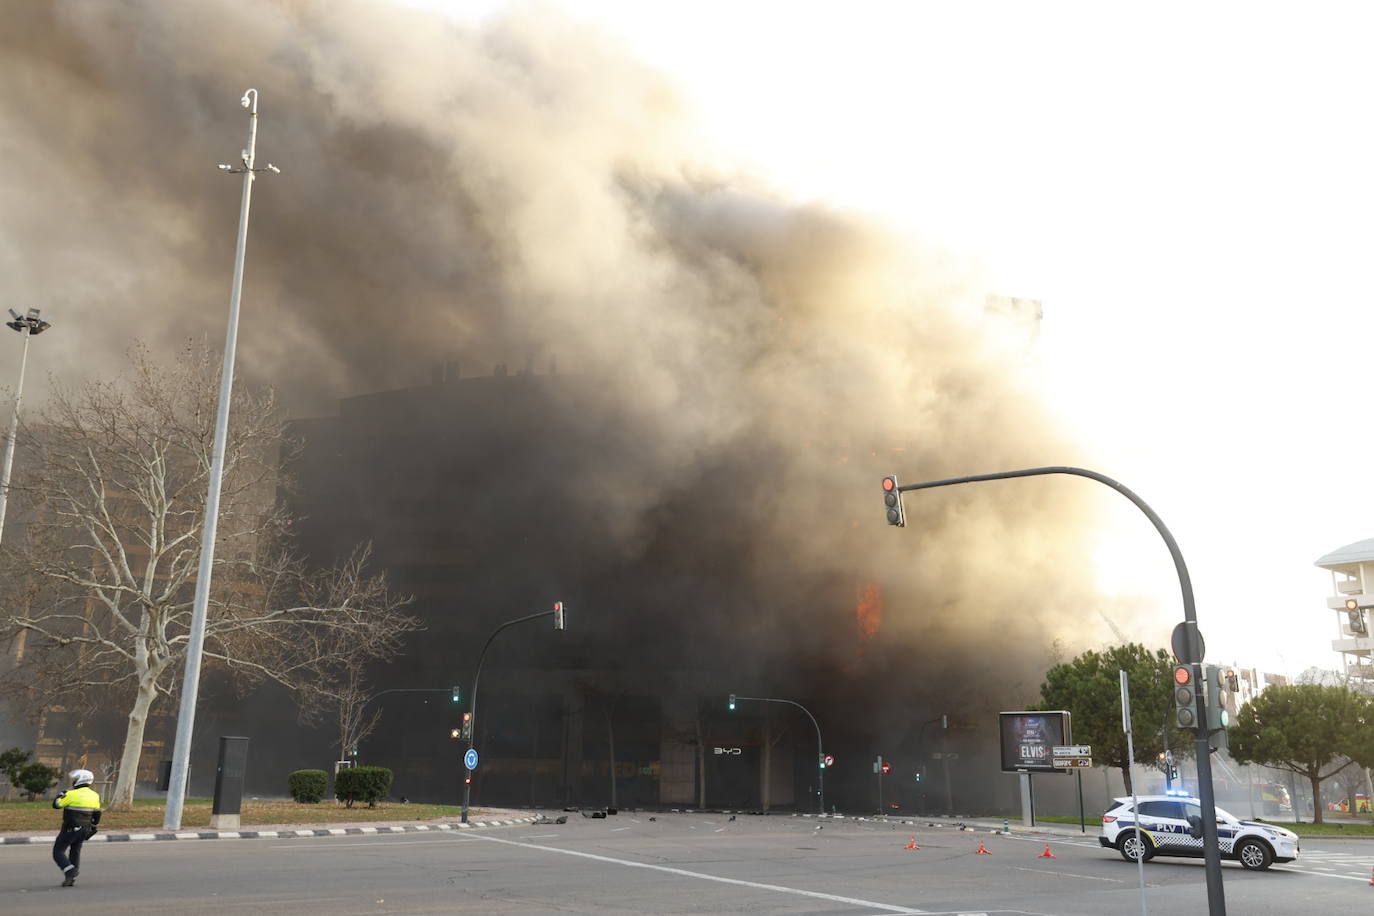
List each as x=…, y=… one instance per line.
x=1213, y=856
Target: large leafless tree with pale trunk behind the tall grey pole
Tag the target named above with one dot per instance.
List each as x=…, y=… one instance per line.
x=115, y=503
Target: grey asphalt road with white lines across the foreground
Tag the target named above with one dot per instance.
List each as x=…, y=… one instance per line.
x=674, y=865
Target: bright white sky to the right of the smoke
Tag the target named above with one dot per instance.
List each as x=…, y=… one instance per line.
x=1186, y=187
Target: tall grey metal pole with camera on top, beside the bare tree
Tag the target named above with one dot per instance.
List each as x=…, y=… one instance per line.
x=196, y=641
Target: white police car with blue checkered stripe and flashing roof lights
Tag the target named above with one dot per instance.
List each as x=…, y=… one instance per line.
x=1173, y=826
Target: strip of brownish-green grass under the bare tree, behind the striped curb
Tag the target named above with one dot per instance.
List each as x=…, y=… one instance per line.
x=149, y=812
